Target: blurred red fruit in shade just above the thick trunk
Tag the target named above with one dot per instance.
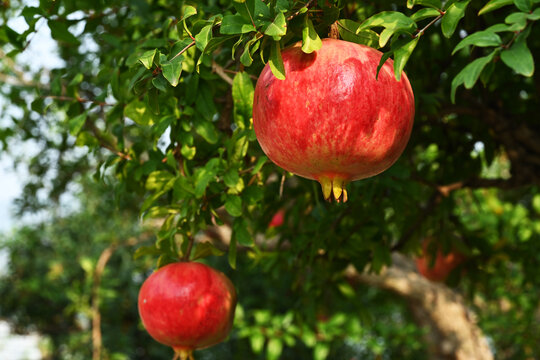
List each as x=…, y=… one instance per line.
x=439, y=269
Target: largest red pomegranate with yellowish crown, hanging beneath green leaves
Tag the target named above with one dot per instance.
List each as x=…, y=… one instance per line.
x=331, y=119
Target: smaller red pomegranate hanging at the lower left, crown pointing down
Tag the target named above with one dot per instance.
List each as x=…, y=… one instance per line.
x=188, y=306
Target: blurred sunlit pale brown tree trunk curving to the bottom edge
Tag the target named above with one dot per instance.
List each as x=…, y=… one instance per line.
x=452, y=333
